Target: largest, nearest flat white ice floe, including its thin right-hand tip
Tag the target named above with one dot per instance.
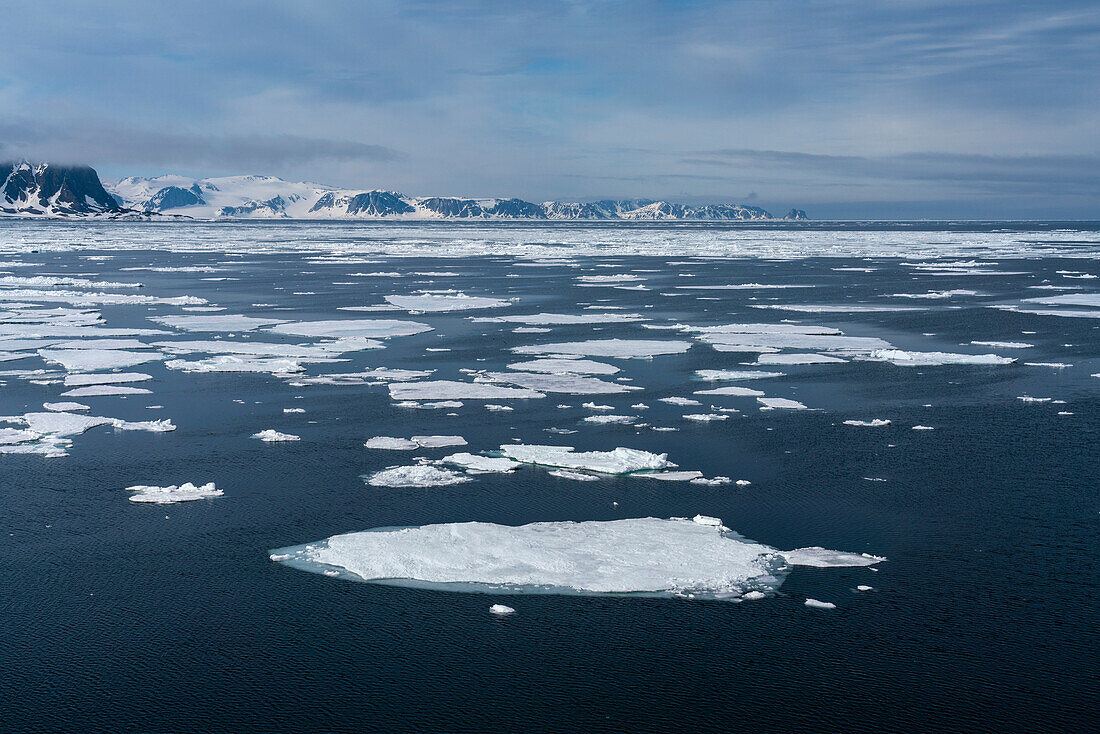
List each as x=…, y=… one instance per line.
x=688, y=558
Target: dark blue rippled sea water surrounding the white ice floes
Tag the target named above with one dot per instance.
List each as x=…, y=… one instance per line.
x=117, y=617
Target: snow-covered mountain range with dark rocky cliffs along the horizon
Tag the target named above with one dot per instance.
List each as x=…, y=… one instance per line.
x=47, y=190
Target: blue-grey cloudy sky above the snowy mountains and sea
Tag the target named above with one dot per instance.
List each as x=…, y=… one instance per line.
x=890, y=109
